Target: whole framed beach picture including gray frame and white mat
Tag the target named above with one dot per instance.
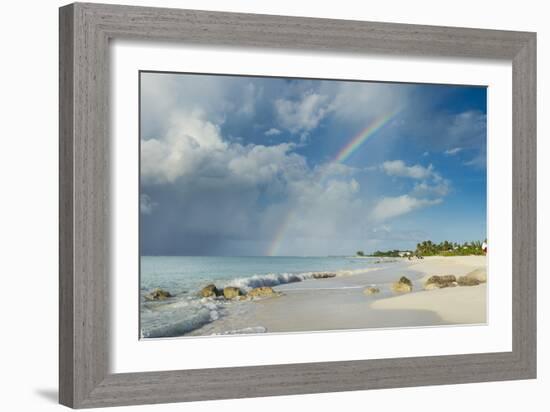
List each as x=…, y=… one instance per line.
x=256, y=205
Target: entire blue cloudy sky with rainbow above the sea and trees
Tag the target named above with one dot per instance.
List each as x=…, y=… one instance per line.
x=248, y=166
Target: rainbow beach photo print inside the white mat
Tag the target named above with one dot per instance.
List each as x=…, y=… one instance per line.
x=280, y=205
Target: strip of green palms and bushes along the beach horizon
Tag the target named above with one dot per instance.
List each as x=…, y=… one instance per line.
x=428, y=248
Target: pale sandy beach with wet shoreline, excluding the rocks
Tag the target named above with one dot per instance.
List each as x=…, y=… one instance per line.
x=340, y=303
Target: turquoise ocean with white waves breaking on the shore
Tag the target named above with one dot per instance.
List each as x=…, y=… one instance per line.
x=185, y=276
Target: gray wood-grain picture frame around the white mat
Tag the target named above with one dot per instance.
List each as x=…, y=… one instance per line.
x=85, y=32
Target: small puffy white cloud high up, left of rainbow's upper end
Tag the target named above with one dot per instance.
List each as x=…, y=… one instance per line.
x=304, y=114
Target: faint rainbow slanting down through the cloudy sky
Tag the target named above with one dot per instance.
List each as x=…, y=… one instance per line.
x=343, y=154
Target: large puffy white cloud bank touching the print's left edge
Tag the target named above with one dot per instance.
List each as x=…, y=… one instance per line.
x=194, y=147
